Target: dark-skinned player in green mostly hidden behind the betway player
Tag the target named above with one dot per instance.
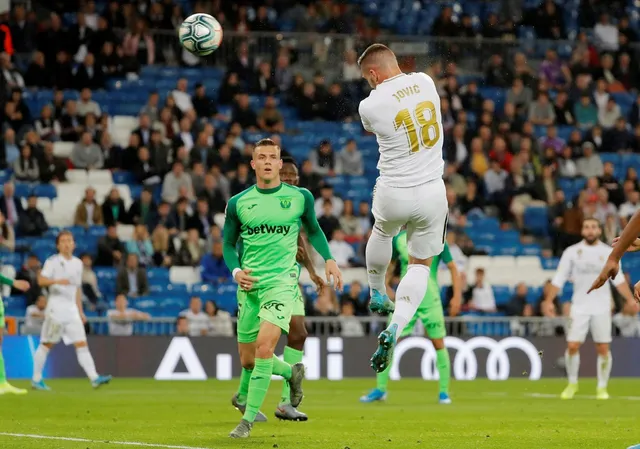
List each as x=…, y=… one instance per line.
x=297, y=335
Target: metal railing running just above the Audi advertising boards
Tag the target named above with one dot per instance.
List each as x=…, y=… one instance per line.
x=463, y=326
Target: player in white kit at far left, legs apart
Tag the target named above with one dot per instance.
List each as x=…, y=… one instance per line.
x=64, y=318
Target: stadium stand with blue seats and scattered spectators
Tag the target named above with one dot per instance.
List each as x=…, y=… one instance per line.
x=541, y=131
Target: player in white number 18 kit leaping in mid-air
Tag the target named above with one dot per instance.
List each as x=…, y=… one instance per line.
x=403, y=111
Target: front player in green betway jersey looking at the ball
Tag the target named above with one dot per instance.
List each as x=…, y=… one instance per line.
x=267, y=217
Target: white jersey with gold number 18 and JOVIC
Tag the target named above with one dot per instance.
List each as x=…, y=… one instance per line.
x=404, y=114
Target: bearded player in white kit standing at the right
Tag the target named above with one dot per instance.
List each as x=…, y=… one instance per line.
x=580, y=263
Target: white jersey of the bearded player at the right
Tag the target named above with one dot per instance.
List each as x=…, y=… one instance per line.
x=581, y=263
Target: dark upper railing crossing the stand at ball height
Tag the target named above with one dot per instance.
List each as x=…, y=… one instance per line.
x=326, y=50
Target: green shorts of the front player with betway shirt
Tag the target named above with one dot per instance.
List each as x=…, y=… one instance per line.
x=273, y=304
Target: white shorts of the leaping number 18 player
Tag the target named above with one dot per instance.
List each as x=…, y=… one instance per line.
x=424, y=209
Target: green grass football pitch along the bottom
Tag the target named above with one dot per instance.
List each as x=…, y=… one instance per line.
x=511, y=414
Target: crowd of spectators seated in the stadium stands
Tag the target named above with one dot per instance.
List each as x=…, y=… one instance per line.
x=550, y=125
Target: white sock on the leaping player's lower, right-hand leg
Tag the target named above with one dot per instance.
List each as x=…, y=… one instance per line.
x=410, y=294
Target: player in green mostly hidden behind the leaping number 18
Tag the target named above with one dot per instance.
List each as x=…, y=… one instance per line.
x=429, y=312
